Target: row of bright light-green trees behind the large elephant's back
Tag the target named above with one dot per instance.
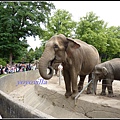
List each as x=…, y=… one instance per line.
x=89, y=29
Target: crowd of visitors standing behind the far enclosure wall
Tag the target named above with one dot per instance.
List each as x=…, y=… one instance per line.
x=18, y=67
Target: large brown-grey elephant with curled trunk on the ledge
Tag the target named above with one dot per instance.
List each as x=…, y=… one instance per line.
x=77, y=58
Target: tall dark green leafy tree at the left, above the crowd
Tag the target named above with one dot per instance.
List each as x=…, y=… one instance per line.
x=19, y=20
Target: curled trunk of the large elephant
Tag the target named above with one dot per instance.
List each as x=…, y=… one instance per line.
x=45, y=69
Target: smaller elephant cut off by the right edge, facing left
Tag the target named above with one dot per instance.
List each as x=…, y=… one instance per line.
x=107, y=72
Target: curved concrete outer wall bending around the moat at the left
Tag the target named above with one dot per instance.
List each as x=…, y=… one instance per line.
x=9, y=108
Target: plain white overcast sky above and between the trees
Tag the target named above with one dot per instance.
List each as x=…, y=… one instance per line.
x=109, y=11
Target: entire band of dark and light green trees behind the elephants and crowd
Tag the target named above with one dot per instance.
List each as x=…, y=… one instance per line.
x=19, y=20
